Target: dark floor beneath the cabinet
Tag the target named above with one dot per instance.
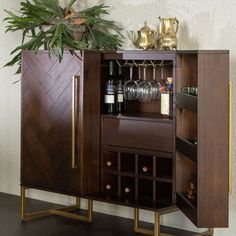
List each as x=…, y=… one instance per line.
x=103, y=225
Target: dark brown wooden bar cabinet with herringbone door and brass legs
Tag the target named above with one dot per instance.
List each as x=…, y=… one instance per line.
x=70, y=146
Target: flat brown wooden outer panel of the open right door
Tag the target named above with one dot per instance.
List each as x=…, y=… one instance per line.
x=213, y=139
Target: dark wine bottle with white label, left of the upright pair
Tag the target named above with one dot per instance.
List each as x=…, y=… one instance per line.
x=110, y=91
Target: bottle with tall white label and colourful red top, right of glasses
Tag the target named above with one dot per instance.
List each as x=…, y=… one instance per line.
x=166, y=97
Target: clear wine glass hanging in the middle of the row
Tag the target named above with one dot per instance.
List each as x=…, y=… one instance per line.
x=145, y=88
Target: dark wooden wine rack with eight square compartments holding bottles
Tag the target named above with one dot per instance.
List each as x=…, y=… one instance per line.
x=137, y=176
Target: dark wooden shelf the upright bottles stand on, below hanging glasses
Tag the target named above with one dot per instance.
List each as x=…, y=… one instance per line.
x=144, y=116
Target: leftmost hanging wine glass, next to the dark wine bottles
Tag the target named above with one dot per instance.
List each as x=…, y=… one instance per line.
x=131, y=87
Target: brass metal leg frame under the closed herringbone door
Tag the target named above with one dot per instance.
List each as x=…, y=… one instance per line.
x=65, y=211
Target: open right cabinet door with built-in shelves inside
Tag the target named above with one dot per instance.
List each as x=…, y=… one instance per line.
x=202, y=138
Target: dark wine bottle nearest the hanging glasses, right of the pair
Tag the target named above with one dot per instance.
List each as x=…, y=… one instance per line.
x=120, y=93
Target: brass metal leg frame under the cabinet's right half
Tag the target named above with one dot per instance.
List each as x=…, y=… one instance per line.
x=156, y=231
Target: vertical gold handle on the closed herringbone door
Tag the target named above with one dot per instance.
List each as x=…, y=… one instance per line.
x=75, y=80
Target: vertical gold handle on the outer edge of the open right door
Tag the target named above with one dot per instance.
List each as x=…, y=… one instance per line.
x=230, y=137
